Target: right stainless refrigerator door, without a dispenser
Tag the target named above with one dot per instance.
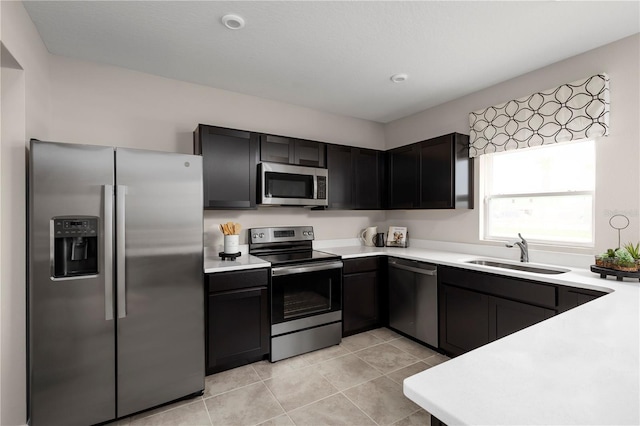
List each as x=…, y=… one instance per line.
x=160, y=347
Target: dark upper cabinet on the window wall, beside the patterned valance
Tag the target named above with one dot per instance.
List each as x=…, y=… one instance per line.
x=432, y=174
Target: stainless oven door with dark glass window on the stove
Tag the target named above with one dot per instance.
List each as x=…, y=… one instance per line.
x=305, y=290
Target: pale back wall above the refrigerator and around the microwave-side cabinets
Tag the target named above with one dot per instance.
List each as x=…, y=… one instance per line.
x=105, y=105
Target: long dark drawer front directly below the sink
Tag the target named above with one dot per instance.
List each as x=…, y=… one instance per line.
x=510, y=288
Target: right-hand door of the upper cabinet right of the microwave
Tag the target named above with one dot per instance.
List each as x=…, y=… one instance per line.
x=368, y=178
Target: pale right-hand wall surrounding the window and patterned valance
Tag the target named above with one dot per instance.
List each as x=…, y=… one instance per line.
x=617, y=172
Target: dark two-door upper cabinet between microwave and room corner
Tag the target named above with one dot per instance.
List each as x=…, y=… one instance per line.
x=356, y=178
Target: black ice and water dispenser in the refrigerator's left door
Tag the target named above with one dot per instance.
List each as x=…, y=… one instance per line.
x=75, y=248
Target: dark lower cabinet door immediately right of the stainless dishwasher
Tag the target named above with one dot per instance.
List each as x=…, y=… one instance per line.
x=464, y=319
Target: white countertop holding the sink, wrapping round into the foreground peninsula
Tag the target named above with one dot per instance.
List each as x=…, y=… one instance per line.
x=579, y=367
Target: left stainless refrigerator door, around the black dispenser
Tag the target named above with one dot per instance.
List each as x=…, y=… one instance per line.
x=71, y=339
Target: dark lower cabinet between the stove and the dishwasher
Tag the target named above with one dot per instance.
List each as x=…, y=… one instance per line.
x=361, y=307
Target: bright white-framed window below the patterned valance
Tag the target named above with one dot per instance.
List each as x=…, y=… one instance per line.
x=546, y=193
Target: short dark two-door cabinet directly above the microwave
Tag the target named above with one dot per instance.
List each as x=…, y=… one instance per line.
x=280, y=149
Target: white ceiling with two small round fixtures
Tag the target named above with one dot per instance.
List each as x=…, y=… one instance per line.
x=335, y=56
